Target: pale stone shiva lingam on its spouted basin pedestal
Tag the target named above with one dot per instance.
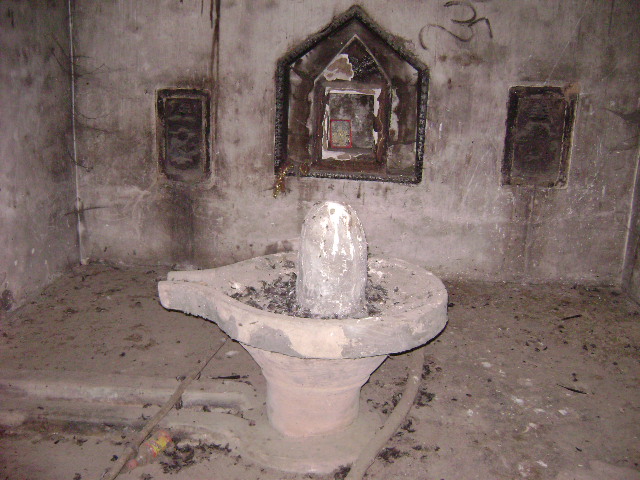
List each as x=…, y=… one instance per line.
x=316, y=364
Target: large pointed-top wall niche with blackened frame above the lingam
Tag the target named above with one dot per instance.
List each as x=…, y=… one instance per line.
x=351, y=103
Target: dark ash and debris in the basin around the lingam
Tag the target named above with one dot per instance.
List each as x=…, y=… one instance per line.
x=279, y=296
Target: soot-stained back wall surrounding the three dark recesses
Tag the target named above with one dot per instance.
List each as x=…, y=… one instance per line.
x=459, y=221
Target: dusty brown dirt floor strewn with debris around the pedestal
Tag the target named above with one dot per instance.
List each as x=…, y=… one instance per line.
x=536, y=382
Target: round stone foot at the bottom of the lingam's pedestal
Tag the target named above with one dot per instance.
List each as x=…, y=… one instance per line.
x=322, y=454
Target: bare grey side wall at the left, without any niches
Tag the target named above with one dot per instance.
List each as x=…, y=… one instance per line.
x=37, y=219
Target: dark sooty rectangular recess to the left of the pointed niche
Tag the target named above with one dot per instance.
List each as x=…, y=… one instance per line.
x=183, y=134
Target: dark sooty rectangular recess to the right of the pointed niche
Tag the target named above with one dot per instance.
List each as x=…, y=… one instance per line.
x=538, y=137
